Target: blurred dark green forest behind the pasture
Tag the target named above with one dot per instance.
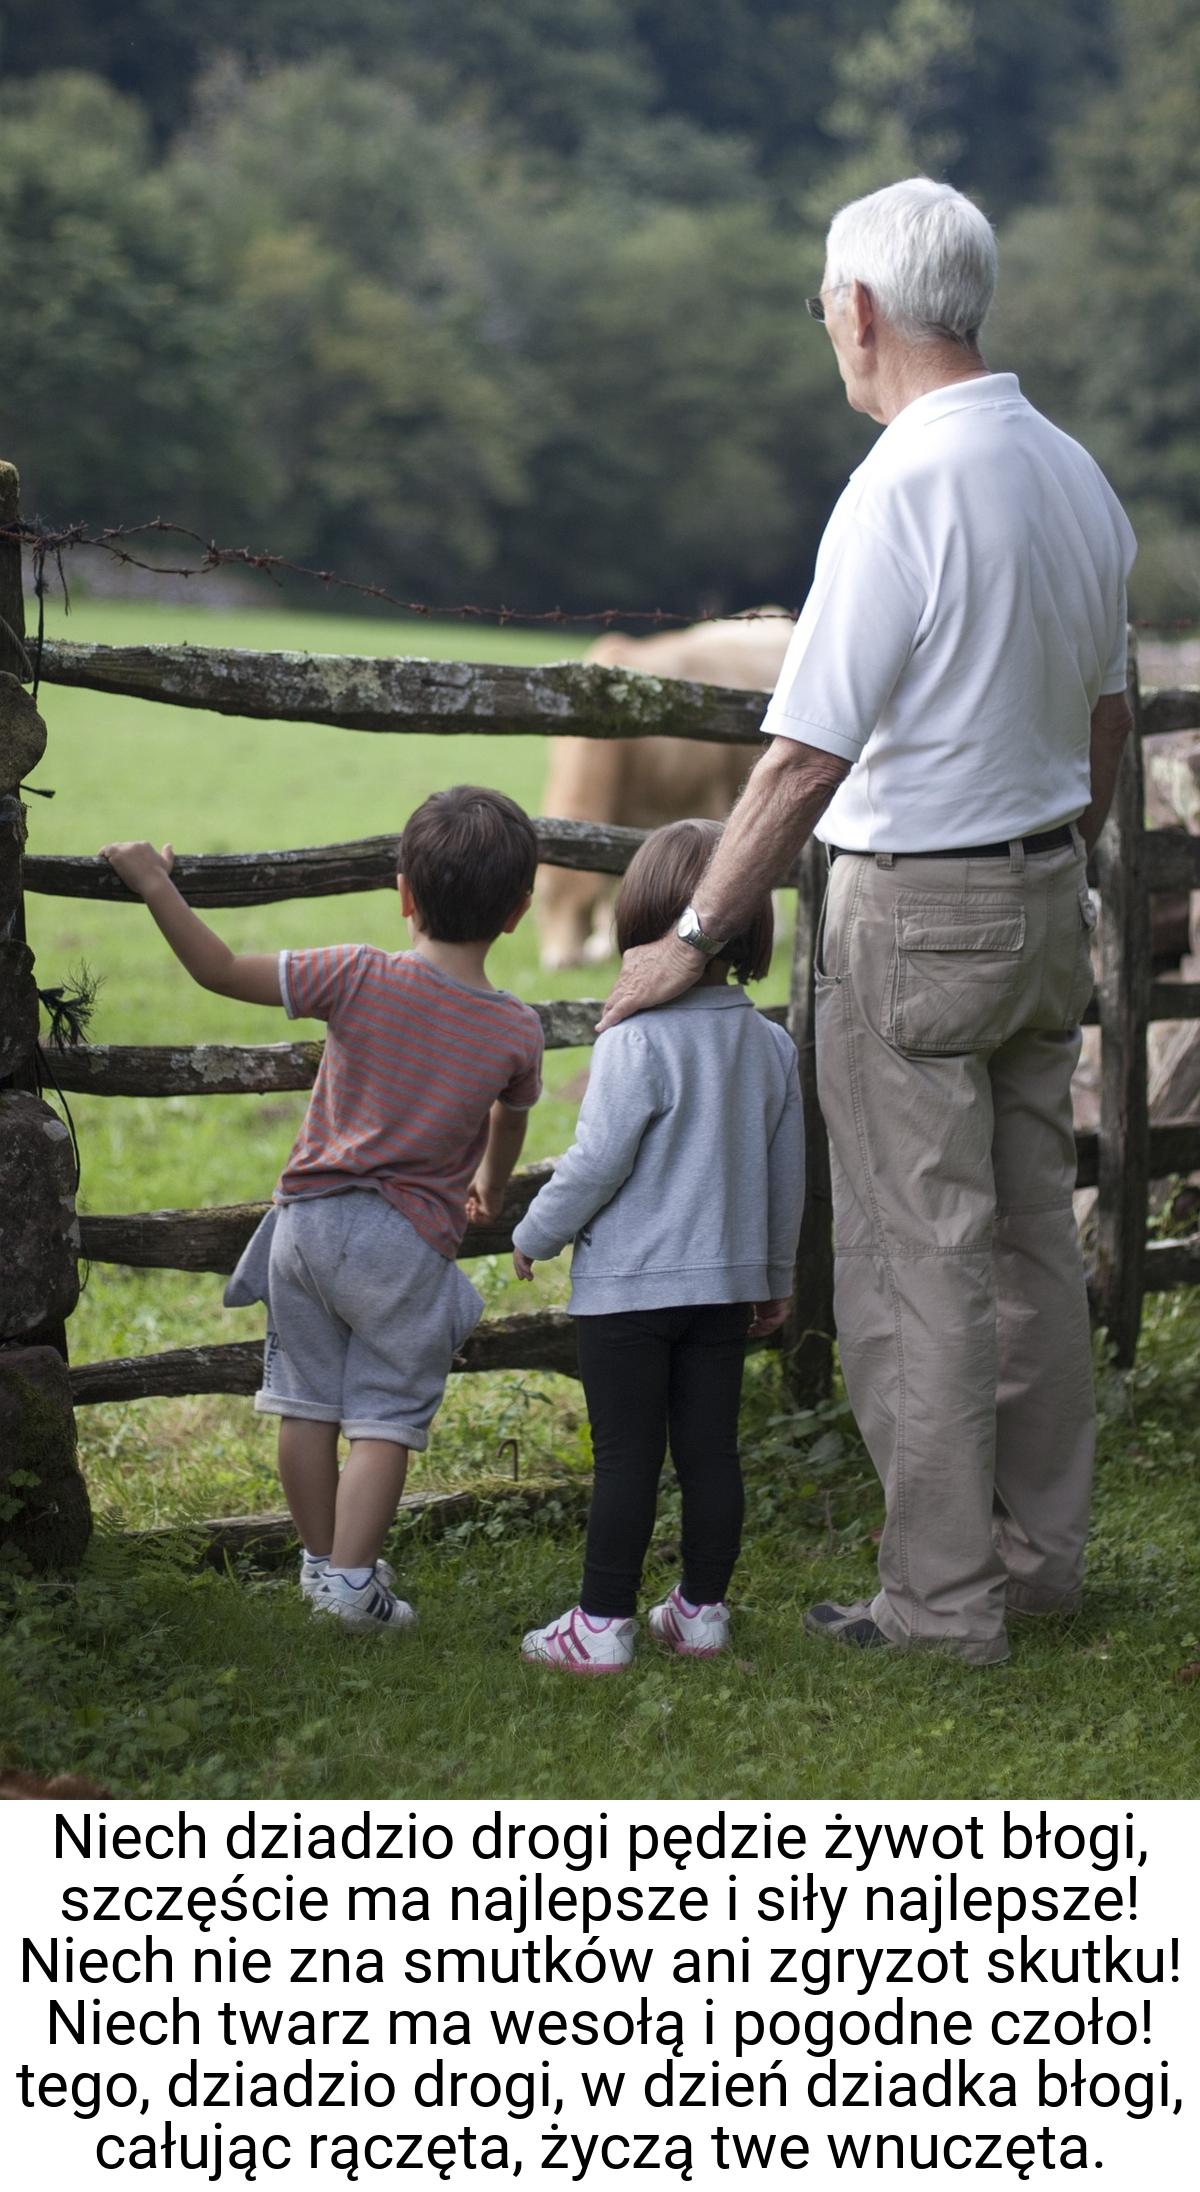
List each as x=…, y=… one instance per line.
x=506, y=304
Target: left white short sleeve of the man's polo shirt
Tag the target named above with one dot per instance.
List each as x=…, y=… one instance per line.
x=852, y=641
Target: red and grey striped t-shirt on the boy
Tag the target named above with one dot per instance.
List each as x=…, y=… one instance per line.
x=414, y=1064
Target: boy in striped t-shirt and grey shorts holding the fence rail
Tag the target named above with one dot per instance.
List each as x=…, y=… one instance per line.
x=414, y=1128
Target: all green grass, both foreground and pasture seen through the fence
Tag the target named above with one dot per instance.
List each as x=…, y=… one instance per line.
x=166, y=1680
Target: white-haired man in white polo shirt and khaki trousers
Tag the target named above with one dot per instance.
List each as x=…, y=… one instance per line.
x=951, y=716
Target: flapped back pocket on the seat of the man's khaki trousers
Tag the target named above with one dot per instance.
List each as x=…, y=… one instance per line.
x=958, y=979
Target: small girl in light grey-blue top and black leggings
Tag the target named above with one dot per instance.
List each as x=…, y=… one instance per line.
x=683, y=1196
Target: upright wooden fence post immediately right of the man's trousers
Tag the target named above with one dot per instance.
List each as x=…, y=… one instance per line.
x=1124, y=1014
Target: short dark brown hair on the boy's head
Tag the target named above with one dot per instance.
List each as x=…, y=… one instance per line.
x=468, y=858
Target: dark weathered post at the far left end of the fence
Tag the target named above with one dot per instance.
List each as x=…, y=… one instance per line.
x=45, y=1514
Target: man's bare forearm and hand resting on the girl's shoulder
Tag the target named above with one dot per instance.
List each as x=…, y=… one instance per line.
x=776, y=817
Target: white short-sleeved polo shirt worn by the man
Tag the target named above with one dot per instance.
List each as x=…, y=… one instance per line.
x=966, y=613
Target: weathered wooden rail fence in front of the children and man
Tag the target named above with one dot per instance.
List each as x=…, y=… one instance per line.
x=394, y=698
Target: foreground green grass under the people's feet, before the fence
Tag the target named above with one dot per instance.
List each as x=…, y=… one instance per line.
x=168, y=1680
